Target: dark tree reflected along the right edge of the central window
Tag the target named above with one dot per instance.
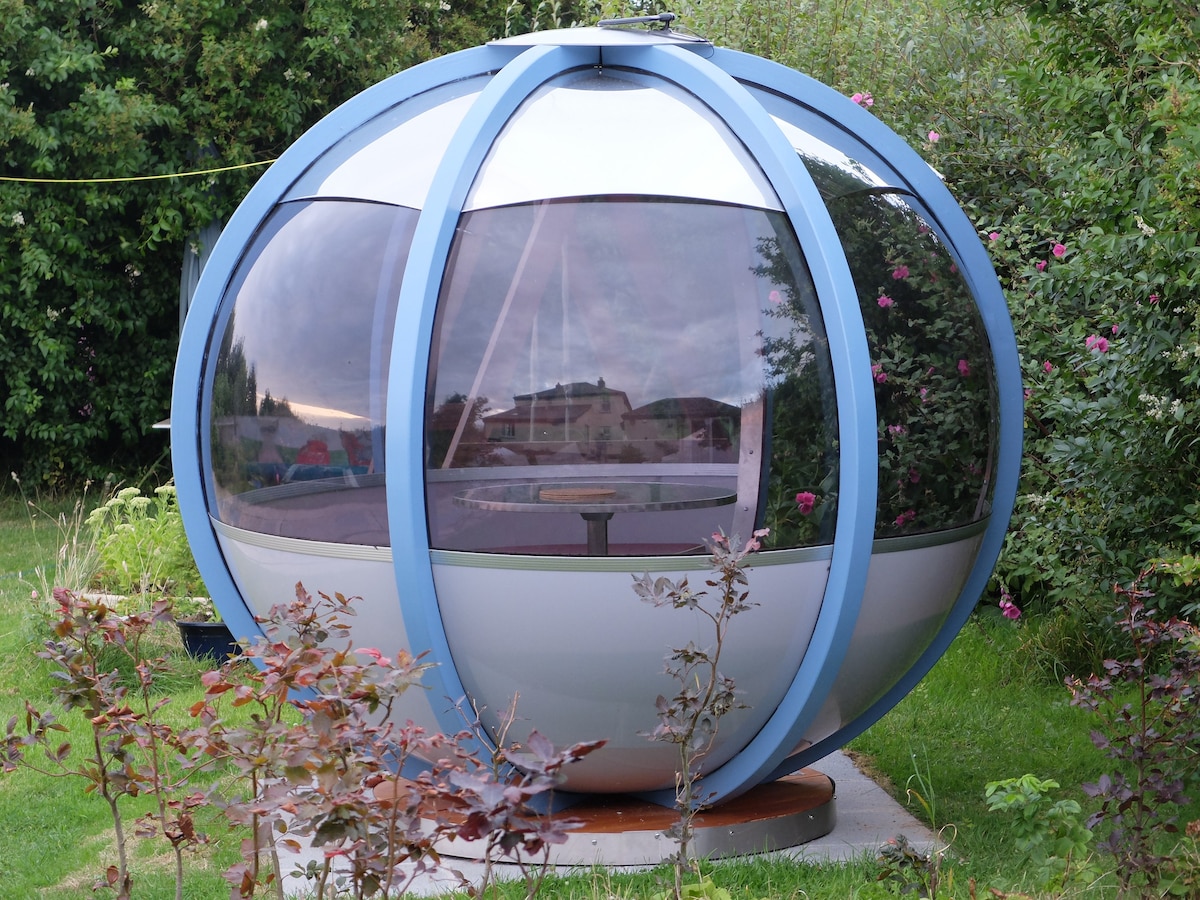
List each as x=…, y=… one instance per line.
x=801, y=418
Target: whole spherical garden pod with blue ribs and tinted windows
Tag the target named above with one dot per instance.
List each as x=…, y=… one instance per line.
x=527, y=321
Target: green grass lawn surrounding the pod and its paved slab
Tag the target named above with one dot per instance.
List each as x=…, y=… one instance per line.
x=983, y=715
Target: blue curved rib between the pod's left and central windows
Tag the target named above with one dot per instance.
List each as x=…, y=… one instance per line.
x=411, y=355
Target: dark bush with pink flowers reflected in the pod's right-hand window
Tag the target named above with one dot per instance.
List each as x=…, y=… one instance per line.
x=932, y=364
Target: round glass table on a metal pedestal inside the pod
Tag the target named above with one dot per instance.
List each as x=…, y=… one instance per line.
x=597, y=502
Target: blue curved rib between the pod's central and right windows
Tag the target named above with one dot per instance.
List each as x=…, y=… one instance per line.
x=855, y=399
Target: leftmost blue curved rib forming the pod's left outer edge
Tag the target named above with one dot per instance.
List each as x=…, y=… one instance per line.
x=190, y=401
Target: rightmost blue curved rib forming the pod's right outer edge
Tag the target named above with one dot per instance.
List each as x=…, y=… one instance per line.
x=887, y=148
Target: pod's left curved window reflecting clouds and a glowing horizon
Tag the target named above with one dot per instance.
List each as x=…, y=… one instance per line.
x=299, y=374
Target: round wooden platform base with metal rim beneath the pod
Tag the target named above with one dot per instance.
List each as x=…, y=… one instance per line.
x=625, y=831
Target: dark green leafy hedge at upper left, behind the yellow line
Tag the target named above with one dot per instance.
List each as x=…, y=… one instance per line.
x=95, y=91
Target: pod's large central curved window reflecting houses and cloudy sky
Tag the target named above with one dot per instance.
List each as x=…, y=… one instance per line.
x=626, y=376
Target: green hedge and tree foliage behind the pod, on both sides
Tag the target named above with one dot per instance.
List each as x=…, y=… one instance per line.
x=1069, y=129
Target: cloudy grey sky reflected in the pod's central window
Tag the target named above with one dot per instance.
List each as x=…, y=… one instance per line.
x=661, y=299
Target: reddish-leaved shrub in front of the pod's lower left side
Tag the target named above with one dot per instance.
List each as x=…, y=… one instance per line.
x=333, y=775
